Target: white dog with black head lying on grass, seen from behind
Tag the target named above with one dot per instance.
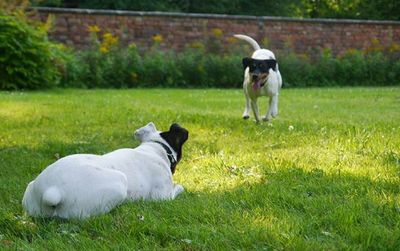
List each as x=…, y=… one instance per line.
x=81, y=185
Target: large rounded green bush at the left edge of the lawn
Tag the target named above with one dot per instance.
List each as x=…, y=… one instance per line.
x=27, y=59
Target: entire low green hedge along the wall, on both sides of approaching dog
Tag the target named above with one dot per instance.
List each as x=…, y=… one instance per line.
x=194, y=68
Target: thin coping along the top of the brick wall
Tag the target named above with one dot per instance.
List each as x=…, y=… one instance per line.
x=212, y=16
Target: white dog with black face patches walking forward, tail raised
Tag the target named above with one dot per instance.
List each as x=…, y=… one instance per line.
x=261, y=78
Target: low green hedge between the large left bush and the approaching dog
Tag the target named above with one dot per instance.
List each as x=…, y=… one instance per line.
x=127, y=68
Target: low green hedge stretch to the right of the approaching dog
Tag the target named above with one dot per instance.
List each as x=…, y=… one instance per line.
x=354, y=68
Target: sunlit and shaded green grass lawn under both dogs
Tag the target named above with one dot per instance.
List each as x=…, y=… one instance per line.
x=331, y=181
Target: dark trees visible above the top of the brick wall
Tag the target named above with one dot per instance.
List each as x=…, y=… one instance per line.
x=353, y=9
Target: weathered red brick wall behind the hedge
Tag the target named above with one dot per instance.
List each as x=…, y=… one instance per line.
x=179, y=30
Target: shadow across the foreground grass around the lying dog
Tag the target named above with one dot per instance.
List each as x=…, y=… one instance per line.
x=290, y=208
